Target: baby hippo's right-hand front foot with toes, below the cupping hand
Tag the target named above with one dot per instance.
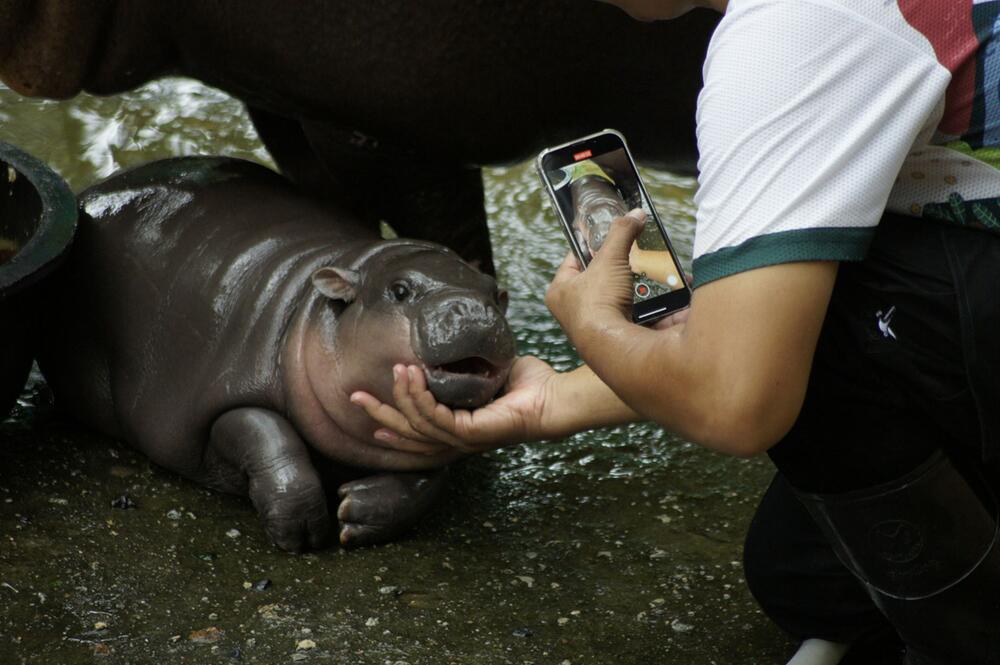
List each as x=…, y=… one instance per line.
x=379, y=508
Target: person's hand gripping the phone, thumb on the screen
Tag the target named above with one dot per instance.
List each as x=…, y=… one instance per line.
x=581, y=299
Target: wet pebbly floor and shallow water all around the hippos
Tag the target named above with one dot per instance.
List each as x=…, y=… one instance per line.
x=615, y=546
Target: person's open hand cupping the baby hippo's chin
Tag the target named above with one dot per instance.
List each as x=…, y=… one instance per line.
x=417, y=418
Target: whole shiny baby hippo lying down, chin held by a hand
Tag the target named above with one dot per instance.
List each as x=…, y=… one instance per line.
x=219, y=321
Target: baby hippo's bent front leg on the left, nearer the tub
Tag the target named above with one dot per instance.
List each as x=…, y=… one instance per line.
x=261, y=450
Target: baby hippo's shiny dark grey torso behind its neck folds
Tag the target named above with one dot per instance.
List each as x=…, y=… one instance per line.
x=172, y=304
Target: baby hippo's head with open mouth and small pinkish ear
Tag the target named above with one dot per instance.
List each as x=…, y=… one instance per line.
x=420, y=303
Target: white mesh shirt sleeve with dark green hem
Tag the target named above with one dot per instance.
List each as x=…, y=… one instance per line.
x=807, y=114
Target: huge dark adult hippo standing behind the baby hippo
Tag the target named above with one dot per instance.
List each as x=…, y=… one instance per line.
x=393, y=105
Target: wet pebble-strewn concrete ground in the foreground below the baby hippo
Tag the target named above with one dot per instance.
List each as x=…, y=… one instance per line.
x=510, y=568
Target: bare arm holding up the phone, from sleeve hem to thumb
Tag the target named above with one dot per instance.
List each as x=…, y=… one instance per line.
x=733, y=377
